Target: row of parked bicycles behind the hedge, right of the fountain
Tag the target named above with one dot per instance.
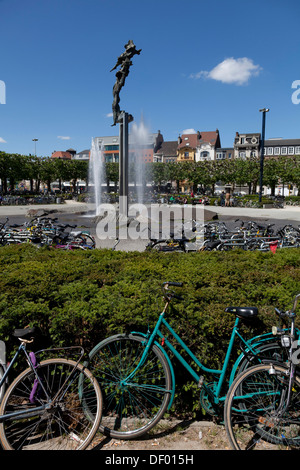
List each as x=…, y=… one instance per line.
x=217, y=236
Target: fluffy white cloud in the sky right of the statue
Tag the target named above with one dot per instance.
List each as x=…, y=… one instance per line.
x=231, y=71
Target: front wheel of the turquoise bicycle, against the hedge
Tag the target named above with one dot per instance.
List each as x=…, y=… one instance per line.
x=131, y=407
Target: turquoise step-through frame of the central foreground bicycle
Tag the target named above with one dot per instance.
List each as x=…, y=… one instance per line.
x=216, y=394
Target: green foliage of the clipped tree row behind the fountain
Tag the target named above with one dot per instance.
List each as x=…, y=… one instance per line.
x=280, y=170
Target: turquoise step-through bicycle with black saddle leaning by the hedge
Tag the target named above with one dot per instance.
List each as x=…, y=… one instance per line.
x=137, y=377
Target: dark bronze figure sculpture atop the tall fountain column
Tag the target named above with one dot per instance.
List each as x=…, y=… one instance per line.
x=125, y=62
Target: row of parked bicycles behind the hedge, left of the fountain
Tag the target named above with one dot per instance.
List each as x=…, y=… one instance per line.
x=46, y=231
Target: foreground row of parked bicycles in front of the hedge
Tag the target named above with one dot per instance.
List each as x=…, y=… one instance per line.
x=126, y=385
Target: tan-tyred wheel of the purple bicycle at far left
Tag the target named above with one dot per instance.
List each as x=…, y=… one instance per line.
x=63, y=413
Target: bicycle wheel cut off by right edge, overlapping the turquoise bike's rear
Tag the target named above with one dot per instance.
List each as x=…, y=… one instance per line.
x=255, y=413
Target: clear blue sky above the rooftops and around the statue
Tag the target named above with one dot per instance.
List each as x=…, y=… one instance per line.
x=203, y=65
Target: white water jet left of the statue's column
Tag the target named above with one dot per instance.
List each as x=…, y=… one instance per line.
x=96, y=174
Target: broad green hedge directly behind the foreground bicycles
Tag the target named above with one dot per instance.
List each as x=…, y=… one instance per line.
x=82, y=297
